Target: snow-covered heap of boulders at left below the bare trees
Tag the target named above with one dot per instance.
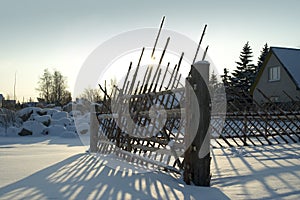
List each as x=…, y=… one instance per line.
x=41, y=122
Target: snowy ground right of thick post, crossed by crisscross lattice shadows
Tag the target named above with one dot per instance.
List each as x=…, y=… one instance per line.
x=274, y=171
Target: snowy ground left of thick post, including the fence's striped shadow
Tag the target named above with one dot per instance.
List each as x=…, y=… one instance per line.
x=54, y=169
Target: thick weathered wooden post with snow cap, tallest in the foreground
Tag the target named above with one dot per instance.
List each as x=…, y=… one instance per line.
x=197, y=138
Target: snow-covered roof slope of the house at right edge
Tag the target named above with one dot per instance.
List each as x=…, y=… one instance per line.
x=290, y=60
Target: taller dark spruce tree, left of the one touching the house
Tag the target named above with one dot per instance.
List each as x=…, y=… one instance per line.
x=244, y=74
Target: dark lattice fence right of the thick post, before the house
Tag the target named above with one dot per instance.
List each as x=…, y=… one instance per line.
x=248, y=122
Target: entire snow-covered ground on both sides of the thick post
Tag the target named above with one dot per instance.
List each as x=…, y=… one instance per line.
x=51, y=167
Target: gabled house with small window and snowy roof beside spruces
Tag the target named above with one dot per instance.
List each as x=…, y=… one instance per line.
x=279, y=76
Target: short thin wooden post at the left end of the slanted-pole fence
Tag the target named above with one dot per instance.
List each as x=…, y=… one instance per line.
x=94, y=126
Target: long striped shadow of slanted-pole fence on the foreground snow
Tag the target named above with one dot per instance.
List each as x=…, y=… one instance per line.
x=84, y=176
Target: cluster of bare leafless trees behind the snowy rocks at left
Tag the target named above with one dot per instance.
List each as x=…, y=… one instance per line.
x=52, y=88
